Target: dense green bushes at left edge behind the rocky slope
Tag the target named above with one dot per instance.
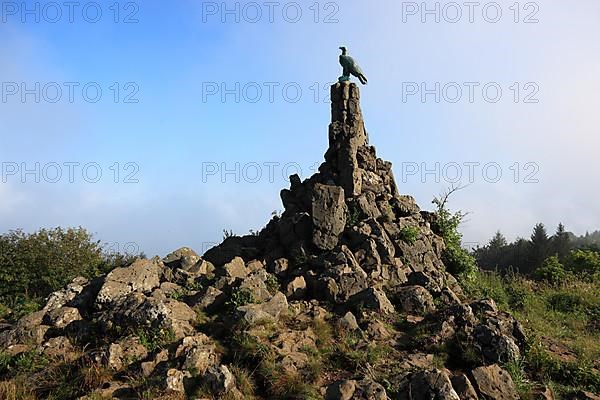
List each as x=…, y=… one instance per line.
x=34, y=265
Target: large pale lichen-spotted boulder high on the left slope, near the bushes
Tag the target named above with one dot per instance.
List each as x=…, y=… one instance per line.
x=141, y=276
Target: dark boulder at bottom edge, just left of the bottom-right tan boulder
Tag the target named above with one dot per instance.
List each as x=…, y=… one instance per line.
x=433, y=384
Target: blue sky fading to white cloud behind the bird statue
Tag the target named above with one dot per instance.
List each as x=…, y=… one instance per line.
x=166, y=142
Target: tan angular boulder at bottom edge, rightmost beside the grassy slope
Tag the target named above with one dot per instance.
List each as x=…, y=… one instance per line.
x=494, y=382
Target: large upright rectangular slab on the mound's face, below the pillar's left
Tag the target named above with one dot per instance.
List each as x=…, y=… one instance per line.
x=328, y=215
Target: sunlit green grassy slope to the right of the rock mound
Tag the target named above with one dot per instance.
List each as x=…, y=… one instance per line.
x=561, y=321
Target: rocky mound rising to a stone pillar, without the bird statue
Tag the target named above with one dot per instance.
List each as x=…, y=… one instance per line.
x=342, y=296
